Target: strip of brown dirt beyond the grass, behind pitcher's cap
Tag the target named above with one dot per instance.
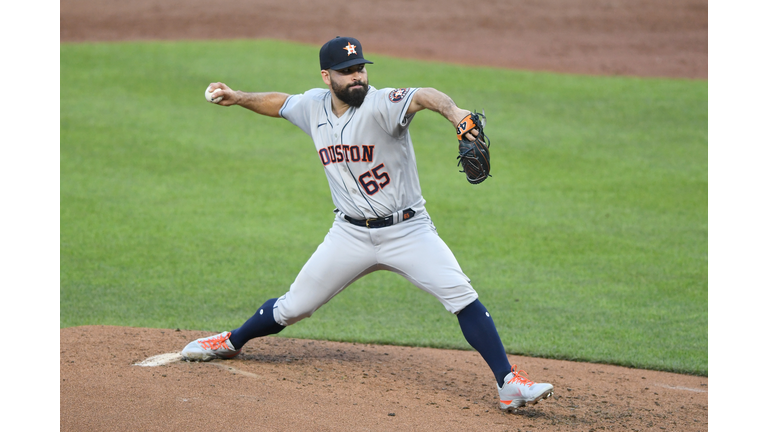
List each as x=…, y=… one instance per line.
x=608, y=37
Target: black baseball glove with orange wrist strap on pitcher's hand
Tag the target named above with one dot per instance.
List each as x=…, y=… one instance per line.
x=474, y=156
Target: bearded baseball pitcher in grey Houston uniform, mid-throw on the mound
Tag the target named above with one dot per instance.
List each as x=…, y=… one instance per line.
x=361, y=137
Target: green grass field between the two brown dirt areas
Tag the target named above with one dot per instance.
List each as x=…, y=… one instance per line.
x=589, y=242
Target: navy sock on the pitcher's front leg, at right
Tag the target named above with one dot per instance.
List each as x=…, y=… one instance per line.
x=480, y=331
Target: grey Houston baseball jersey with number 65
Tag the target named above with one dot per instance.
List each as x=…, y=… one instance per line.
x=358, y=149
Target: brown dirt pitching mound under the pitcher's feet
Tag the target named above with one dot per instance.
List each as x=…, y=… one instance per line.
x=130, y=379
